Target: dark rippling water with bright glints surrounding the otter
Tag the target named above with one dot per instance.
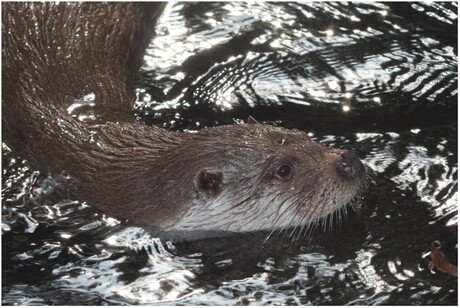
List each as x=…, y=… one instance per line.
x=380, y=79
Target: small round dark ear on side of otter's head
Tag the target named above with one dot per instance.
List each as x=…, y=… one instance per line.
x=208, y=182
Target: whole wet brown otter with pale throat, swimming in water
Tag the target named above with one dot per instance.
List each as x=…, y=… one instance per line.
x=238, y=178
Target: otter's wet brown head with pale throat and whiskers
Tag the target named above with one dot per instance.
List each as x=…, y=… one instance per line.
x=258, y=177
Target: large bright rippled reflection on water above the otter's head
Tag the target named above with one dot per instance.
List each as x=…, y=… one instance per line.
x=245, y=54
